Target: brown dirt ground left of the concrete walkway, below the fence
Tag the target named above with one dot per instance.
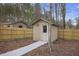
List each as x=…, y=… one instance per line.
x=14, y=44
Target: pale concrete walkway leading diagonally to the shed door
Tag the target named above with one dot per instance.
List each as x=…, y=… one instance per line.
x=23, y=50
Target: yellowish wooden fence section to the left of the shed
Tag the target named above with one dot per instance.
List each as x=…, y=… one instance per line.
x=14, y=33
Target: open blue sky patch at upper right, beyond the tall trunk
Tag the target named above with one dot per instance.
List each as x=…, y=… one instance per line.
x=72, y=10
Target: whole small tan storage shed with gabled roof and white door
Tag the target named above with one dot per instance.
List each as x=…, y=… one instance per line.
x=44, y=30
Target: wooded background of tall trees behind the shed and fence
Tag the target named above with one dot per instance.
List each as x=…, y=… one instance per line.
x=29, y=12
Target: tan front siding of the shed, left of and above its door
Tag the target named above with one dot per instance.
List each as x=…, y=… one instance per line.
x=37, y=30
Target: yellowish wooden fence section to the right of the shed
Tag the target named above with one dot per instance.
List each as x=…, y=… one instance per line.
x=69, y=34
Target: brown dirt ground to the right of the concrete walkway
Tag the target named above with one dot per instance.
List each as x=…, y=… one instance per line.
x=59, y=48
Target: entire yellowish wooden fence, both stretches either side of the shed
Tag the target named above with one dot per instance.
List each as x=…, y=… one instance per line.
x=21, y=33
